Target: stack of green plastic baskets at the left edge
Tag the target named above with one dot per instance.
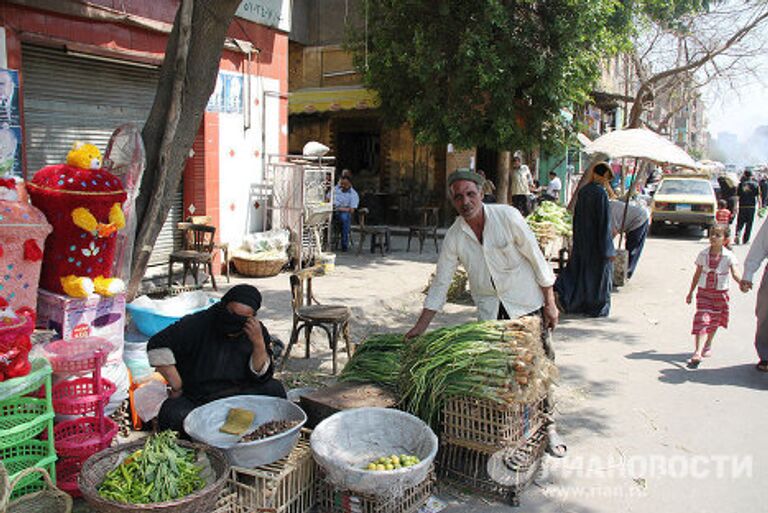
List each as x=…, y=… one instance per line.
x=26, y=423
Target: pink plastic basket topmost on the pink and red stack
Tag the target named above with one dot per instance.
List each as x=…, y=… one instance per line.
x=73, y=356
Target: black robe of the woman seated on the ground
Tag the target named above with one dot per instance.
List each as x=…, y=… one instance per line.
x=211, y=364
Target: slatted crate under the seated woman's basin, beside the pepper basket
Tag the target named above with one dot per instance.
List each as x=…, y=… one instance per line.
x=286, y=486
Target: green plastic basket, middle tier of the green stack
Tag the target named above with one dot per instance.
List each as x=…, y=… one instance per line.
x=22, y=419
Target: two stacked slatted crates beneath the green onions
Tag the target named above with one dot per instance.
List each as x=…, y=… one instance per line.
x=495, y=449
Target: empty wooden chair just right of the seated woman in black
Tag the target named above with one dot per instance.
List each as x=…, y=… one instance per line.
x=308, y=314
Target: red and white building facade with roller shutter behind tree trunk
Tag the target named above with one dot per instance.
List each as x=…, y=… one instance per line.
x=85, y=68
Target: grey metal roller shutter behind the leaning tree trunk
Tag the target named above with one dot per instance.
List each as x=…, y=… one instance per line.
x=71, y=98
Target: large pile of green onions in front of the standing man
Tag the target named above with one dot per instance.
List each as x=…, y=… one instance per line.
x=501, y=361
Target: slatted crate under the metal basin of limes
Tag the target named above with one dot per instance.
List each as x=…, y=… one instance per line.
x=332, y=500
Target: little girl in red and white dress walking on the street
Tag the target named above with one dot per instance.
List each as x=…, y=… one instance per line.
x=713, y=265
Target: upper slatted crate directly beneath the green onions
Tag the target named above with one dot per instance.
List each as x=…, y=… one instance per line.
x=488, y=426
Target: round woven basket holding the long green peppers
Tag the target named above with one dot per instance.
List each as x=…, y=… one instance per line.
x=97, y=466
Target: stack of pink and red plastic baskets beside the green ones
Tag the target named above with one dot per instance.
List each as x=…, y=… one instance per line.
x=85, y=396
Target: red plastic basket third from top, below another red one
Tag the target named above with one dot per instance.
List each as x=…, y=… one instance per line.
x=84, y=436
